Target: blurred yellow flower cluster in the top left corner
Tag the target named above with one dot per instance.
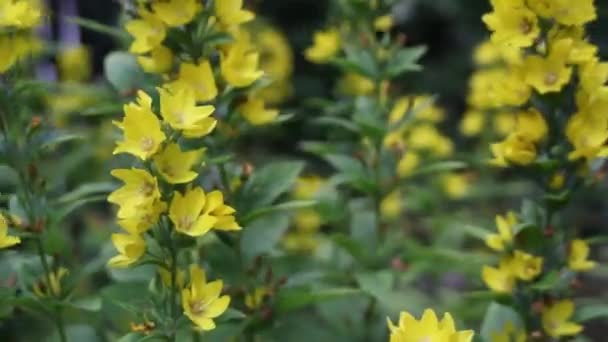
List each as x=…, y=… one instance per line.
x=18, y=19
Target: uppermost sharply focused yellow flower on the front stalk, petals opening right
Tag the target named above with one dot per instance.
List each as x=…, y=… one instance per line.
x=178, y=107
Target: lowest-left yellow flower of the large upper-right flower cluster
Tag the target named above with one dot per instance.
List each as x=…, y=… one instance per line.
x=514, y=149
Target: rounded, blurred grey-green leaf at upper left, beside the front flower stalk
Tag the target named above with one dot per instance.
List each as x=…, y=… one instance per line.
x=123, y=72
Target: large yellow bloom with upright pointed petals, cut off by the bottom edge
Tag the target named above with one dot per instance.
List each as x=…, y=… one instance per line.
x=428, y=328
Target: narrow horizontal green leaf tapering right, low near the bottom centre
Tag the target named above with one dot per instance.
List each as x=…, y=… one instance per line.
x=291, y=299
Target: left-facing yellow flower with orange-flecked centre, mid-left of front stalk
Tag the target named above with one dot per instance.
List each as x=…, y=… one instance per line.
x=139, y=192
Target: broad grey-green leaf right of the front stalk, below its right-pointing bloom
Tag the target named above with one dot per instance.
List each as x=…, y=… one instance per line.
x=261, y=236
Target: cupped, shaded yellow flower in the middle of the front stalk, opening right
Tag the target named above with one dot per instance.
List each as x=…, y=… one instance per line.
x=175, y=165
